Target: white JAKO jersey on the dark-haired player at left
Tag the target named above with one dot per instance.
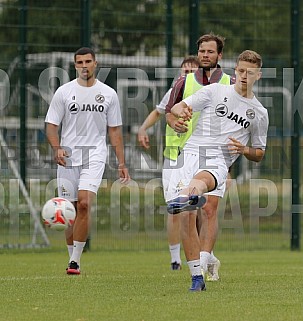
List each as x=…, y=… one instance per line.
x=85, y=113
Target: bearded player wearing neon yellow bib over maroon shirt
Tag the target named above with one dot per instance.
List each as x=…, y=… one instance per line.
x=210, y=52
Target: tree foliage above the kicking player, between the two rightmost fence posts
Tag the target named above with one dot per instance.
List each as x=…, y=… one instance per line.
x=263, y=26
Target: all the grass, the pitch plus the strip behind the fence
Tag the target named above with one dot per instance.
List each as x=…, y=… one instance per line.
x=126, y=275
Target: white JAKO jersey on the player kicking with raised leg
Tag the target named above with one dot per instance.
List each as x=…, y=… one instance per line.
x=224, y=114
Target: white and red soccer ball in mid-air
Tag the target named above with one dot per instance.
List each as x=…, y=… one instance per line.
x=58, y=213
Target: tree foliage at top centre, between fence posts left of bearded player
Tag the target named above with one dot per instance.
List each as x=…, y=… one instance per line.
x=126, y=27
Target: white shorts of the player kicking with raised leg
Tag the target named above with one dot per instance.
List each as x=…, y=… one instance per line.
x=177, y=174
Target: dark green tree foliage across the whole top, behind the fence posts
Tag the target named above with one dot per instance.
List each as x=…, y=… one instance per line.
x=139, y=26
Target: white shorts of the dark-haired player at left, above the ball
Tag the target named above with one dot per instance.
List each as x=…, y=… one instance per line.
x=73, y=179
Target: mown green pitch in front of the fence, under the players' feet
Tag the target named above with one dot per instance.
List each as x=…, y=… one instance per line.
x=138, y=285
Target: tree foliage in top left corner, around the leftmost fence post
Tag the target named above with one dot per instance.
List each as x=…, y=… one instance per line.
x=45, y=31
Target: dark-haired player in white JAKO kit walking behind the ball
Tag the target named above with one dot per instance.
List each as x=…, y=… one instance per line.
x=86, y=109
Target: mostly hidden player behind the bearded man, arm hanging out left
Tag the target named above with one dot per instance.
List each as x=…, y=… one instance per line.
x=188, y=65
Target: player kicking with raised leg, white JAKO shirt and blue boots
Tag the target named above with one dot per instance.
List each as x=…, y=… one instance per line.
x=229, y=117
